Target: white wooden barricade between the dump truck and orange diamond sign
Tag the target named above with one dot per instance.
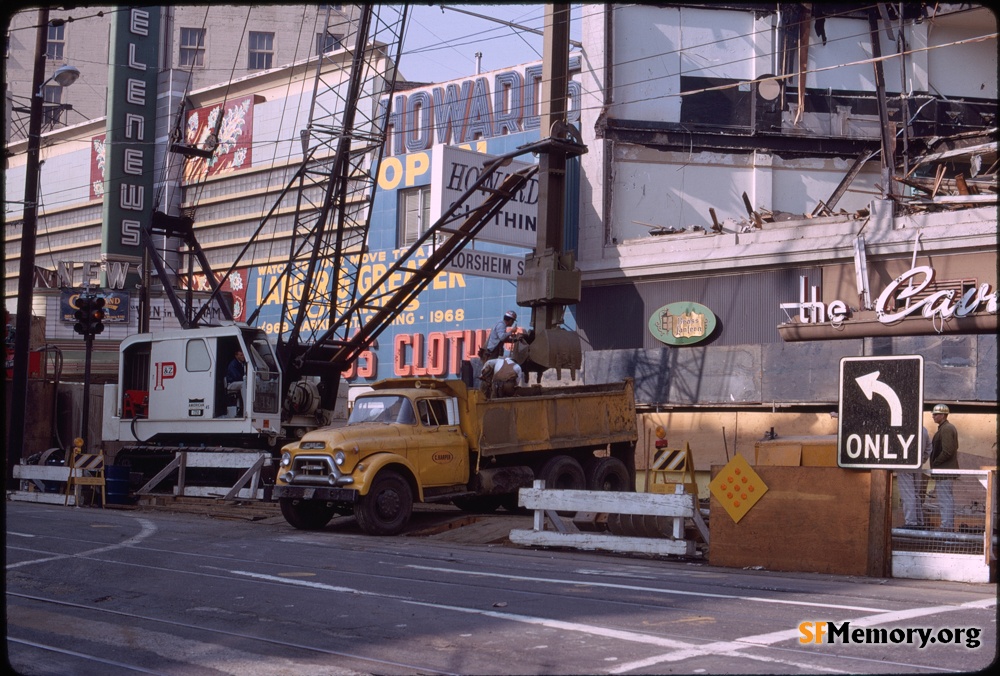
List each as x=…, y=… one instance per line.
x=548, y=503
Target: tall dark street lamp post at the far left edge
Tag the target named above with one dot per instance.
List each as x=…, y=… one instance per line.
x=63, y=76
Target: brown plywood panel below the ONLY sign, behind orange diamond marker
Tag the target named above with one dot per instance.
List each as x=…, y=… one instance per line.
x=812, y=519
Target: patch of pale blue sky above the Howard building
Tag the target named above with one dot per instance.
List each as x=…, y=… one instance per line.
x=440, y=45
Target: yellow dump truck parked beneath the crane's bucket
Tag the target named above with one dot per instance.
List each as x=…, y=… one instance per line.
x=421, y=440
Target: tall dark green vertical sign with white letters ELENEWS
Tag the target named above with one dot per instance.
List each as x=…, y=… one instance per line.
x=128, y=194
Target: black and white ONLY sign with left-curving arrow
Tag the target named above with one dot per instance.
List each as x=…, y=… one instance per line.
x=881, y=412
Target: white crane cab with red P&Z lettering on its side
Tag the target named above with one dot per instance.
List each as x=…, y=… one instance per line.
x=172, y=389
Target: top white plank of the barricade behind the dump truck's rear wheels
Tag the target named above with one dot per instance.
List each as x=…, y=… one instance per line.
x=656, y=504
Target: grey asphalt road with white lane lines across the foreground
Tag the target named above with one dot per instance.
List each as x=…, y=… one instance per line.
x=93, y=591
